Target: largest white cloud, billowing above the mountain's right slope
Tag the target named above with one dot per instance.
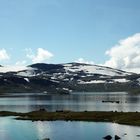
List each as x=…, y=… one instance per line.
x=126, y=54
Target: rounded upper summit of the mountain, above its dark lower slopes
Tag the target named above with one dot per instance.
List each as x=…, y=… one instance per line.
x=71, y=69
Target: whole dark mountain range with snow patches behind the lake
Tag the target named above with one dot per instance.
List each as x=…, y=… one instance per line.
x=73, y=76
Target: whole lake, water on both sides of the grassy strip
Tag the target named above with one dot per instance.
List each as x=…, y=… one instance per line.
x=11, y=129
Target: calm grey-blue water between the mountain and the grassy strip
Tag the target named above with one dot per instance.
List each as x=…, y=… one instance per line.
x=76, y=101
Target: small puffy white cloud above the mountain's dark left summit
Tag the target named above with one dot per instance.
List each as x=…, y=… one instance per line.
x=41, y=55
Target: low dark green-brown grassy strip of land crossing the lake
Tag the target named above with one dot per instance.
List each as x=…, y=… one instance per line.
x=129, y=118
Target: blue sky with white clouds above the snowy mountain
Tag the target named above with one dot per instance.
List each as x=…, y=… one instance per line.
x=105, y=32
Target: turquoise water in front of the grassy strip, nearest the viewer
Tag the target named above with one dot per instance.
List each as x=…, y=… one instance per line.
x=11, y=129
